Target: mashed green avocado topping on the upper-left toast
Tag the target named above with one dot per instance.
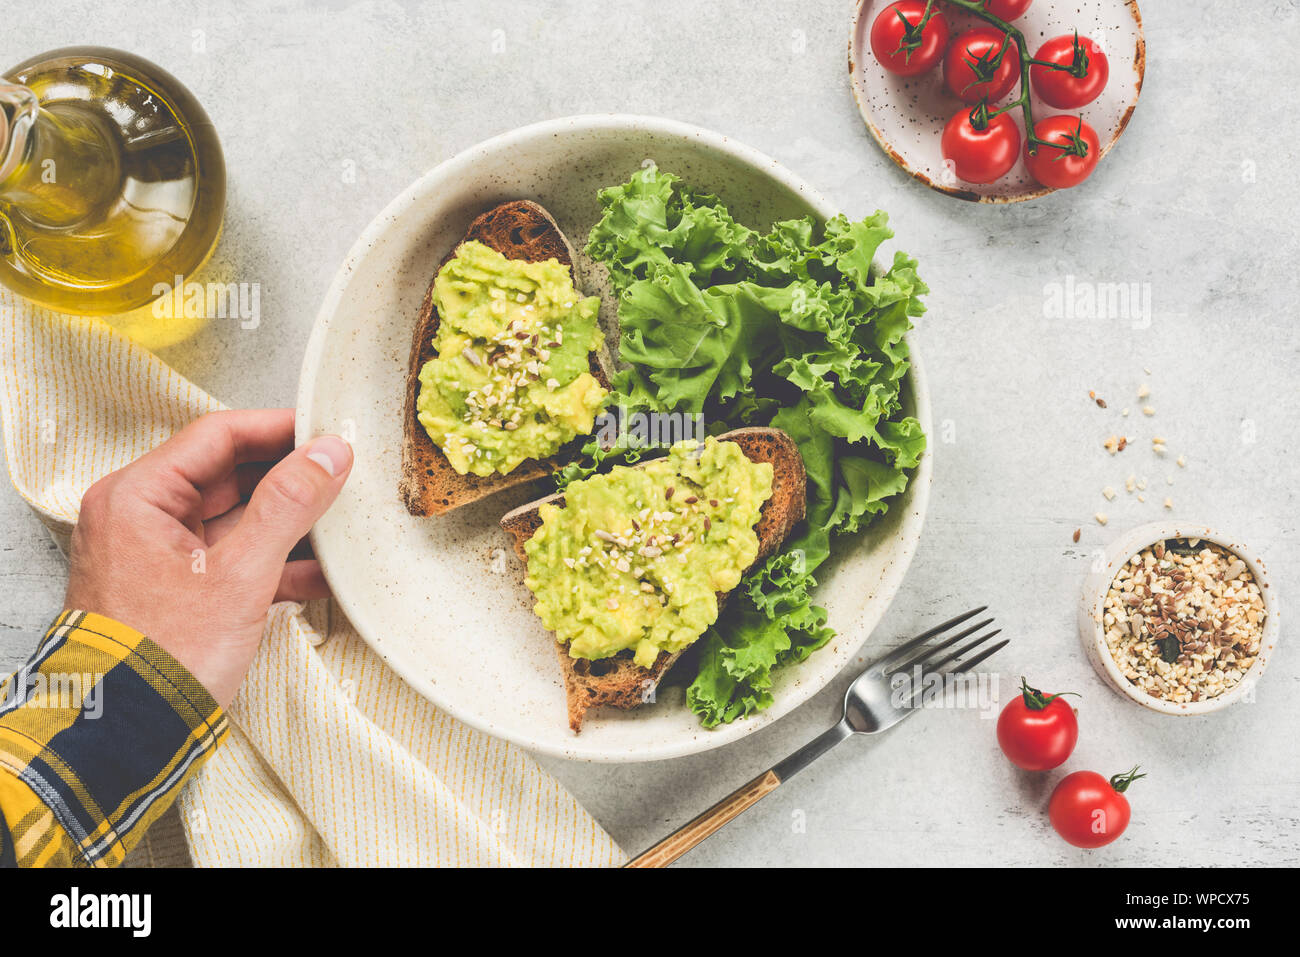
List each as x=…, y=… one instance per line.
x=513, y=379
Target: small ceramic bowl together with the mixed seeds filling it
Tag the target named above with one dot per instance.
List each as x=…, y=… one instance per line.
x=1180, y=618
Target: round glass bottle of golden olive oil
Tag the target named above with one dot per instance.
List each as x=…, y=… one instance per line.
x=112, y=181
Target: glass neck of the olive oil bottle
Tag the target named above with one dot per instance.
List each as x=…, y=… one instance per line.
x=57, y=168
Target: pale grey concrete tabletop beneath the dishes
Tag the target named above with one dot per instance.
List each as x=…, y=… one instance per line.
x=1198, y=205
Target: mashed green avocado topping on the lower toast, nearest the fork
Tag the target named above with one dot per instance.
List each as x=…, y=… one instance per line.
x=636, y=557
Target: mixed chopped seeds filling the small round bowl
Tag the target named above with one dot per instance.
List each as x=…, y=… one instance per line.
x=1184, y=620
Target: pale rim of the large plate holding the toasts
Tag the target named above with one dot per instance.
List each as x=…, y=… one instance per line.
x=855, y=634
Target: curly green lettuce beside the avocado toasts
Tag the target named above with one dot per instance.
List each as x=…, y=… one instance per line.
x=792, y=328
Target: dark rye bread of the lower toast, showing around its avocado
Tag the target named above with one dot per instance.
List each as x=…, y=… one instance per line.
x=619, y=682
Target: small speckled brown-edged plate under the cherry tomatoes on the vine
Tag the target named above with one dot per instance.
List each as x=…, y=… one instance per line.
x=907, y=115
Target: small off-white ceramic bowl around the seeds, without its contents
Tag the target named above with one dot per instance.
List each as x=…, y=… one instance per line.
x=1093, y=607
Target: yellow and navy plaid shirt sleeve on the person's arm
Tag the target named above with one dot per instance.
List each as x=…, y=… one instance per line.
x=99, y=731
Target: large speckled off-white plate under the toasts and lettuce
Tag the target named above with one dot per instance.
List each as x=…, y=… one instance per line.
x=443, y=599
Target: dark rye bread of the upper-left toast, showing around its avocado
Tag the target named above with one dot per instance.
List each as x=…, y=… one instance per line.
x=430, y=486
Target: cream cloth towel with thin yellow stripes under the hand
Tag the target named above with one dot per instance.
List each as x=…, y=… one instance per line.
x=332, y=760
